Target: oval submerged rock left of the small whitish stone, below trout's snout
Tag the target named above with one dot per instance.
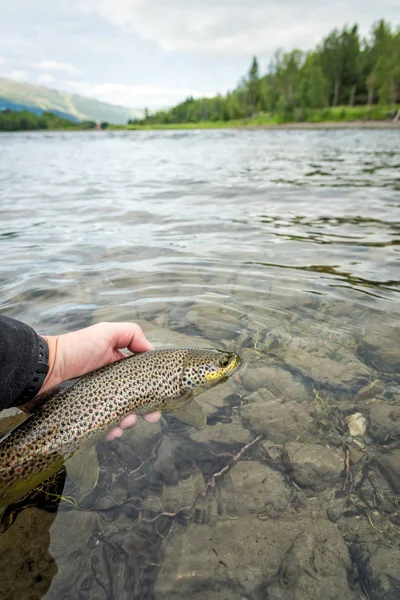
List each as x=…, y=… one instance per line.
x=278, y=420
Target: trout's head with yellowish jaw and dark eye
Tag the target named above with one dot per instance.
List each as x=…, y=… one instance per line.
x=205, y=367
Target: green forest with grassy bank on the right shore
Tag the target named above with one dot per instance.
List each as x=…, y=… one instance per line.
x=345, y=77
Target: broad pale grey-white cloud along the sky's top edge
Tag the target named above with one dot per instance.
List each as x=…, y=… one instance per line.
x=234, y=27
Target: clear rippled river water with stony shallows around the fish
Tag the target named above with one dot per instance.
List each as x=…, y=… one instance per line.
x=281, y=245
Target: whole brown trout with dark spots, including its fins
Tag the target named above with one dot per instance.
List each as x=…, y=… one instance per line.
x=66, y=424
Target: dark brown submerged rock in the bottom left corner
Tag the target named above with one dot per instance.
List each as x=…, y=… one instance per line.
x=26, y=565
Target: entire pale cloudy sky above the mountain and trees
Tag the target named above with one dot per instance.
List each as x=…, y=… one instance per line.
x=155, y=53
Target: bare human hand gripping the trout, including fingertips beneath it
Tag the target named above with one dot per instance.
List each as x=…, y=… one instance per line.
x=78, y=352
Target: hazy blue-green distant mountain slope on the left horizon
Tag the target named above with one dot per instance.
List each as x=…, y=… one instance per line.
x=16, y=95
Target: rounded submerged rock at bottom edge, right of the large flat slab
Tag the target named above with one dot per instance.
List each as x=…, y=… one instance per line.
x=316, y=567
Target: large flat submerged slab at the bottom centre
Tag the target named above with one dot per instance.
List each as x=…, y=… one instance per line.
x=243, y=554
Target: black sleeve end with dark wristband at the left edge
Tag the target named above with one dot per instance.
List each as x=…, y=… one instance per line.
x=23, y=362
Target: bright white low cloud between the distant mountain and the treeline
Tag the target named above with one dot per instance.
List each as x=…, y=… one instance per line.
x=131, y=95
